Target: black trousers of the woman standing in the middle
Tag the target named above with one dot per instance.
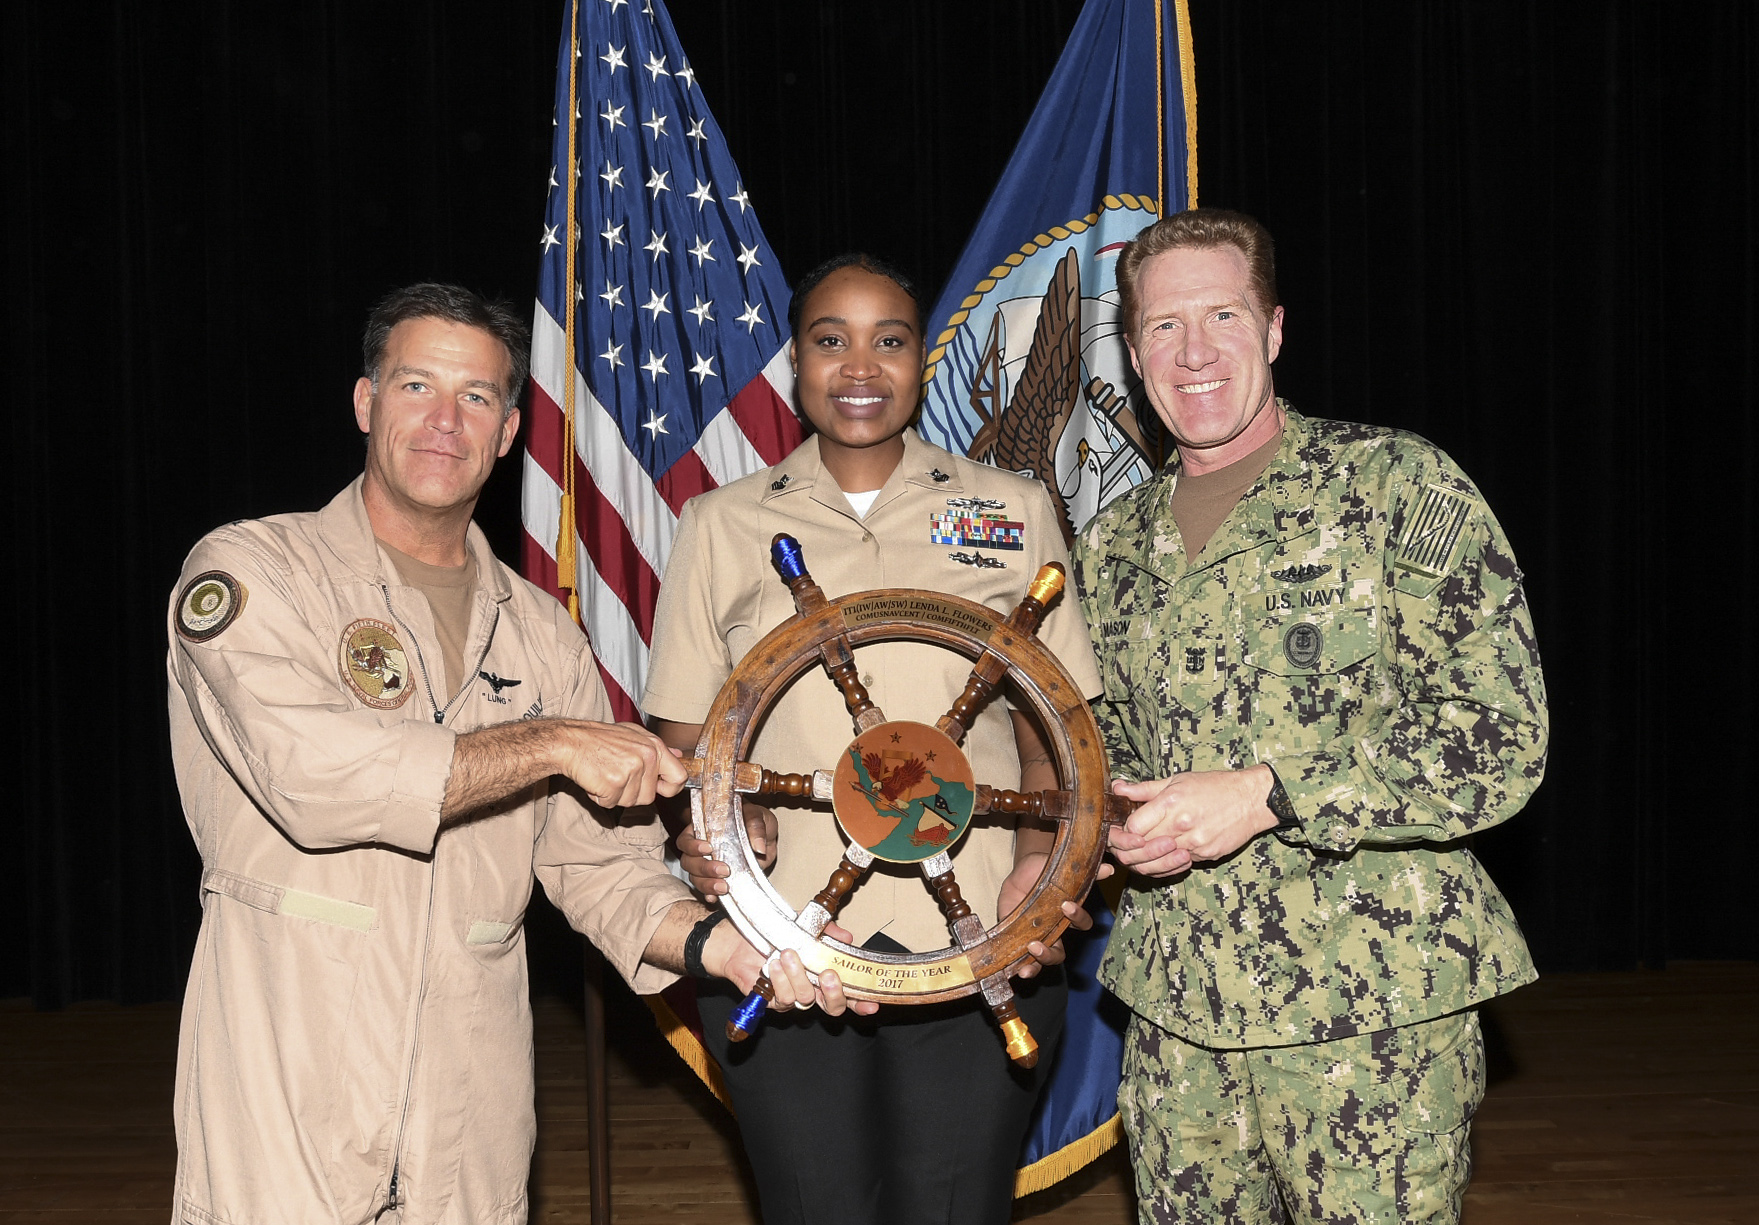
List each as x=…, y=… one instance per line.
x=912, y=1117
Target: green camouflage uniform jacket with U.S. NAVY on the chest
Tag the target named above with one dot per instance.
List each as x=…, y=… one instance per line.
x=1357, y=624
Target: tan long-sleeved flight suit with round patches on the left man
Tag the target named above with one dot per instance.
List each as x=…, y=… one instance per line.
x=358, y=1004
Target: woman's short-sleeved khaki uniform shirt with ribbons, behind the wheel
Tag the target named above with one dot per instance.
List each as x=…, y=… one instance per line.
x=722, y=596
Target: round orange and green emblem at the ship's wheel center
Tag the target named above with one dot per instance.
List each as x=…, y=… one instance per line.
x=903, y=791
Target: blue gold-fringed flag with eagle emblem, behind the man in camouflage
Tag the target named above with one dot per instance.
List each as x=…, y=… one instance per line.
x=1028, y=370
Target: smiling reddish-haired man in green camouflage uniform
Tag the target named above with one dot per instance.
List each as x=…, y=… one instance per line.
x=1320, y=677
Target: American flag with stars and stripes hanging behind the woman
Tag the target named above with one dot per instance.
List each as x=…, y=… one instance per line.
x=676, y=379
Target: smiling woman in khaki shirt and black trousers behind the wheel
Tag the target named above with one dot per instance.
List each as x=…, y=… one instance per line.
x=910, y=1113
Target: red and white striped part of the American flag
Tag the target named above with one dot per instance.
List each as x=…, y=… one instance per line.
x=624, y=520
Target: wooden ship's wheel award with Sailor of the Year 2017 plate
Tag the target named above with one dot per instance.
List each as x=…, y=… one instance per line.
x=905, y=793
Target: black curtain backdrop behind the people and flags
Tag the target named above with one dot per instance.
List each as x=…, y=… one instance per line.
x=1526, y=231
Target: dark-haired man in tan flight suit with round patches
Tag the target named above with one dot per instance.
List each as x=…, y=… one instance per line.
x=381, y=737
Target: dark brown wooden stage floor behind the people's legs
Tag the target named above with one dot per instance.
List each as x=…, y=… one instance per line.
x=1616, y=1099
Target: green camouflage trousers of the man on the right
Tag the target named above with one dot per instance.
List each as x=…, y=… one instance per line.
x=1366, y=1129
